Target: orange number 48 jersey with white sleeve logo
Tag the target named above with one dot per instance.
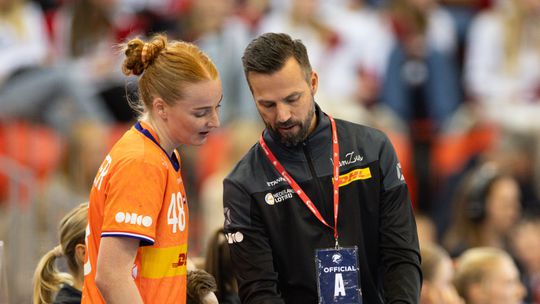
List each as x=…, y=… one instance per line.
x=138, y=193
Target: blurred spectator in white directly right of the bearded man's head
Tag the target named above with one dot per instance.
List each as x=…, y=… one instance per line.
x=357, y=64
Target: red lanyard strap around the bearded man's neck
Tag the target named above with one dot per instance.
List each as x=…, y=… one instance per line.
x=296, y=187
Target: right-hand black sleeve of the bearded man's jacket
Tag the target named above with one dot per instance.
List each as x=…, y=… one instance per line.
x=399, y=250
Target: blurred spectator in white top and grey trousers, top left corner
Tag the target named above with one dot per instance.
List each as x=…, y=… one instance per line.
x=29, y=89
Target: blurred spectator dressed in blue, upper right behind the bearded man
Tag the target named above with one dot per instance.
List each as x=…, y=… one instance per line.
x=421, y=80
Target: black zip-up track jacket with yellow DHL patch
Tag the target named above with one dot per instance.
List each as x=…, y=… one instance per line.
x=273, y=236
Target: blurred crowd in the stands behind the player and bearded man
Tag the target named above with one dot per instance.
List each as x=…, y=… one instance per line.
x=454, y=83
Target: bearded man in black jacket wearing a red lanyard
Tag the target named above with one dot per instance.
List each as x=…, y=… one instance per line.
x=314, y=185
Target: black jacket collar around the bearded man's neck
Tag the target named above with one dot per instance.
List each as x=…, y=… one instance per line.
x=318, y=142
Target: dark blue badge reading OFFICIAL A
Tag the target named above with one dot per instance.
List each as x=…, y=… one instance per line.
x=338, y=275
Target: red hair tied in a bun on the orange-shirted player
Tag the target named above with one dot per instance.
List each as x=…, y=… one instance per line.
x=164, y=67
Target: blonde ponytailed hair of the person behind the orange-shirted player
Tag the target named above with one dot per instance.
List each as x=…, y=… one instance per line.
x=47, y=278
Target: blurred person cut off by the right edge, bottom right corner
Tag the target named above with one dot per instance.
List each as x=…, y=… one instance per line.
x=526, y=248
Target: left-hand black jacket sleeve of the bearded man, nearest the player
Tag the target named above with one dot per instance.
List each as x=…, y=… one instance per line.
x=250, y=250
